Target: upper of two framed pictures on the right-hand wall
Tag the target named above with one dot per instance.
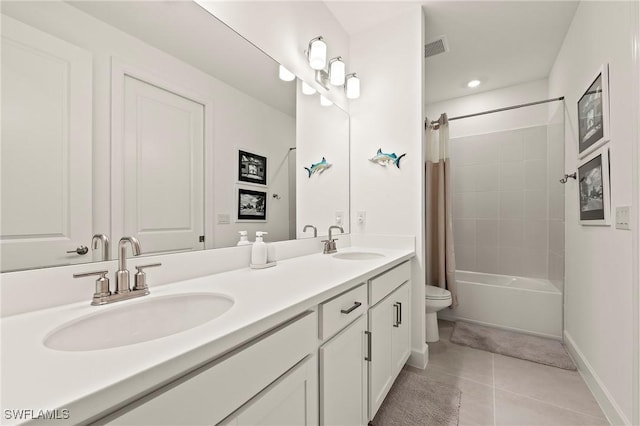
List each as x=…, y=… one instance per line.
x=593, y=113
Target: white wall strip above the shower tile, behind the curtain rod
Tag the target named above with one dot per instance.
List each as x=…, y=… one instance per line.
x=514, y=95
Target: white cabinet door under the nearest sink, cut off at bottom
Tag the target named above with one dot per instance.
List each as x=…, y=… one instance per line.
x=292, y=400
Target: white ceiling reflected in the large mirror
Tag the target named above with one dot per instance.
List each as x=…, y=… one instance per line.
x=185, y=30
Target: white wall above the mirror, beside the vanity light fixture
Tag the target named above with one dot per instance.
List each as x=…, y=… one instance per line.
x=283, y=30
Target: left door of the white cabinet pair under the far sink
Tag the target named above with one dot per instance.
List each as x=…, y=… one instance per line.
x=381, y=321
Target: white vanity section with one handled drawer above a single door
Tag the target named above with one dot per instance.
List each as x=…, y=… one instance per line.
x=343, y=365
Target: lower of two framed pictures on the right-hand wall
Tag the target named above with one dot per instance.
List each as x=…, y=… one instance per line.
x=593, y=188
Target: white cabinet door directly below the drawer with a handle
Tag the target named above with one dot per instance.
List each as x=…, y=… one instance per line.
x=343, y=377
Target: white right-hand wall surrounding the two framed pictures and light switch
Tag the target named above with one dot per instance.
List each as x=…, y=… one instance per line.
x=599, y=286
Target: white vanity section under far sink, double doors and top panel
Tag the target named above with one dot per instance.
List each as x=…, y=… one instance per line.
x=390, y=327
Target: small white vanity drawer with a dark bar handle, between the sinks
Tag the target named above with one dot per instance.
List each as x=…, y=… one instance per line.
x=337, y=313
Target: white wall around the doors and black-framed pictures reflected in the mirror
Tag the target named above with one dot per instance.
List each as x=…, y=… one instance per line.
x=271, y=132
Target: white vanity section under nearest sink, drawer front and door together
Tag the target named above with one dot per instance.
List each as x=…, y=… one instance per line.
x=267, y=372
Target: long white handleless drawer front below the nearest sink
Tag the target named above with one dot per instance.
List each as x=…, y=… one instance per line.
x=214, y=391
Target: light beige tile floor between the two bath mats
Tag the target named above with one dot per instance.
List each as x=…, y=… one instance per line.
x=499, y=390
